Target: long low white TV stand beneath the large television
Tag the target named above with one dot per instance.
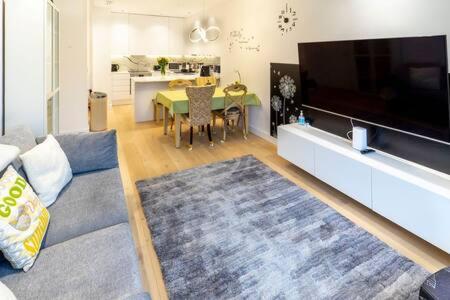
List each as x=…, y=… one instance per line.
x=414, y=197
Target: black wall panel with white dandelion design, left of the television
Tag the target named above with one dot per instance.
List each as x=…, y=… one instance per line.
x=285, y=95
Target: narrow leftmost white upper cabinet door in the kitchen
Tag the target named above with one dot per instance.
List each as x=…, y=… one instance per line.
x=119, y=34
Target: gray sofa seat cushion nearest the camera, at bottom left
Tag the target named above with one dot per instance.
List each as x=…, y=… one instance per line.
x=98, y=265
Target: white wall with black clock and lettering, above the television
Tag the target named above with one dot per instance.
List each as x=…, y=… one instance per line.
x=319, y=20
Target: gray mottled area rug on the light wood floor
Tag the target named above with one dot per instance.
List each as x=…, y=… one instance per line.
x=238, y=230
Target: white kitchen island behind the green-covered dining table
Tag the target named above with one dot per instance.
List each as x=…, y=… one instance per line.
x=144, y=89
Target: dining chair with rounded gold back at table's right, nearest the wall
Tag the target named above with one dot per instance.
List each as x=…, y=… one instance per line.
x=234, y=111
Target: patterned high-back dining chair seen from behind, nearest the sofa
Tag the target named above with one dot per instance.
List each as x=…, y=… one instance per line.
x=200, y=99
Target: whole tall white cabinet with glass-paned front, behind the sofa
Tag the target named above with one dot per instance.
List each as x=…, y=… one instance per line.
x=32, y=77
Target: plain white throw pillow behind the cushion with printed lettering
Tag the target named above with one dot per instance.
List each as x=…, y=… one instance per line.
x=48, y=170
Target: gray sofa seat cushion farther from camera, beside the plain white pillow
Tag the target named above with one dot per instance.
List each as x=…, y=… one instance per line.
x=91, y=201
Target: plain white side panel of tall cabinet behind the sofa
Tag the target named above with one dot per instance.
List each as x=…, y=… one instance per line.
x=24, y=65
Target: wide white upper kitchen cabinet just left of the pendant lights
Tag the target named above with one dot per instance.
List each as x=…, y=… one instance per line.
x=148, y=35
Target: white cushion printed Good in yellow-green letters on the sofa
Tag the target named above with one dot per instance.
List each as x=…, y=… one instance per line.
x=23, y=221
